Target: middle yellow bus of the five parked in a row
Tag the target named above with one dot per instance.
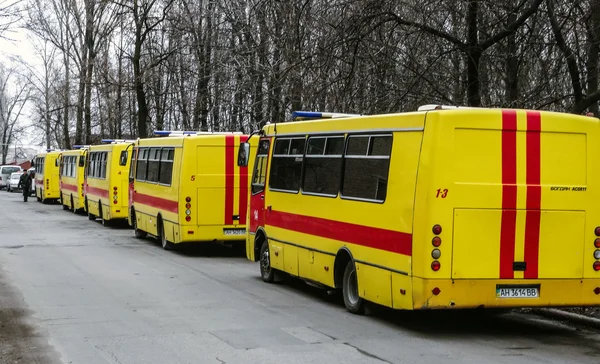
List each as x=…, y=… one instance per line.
x=106, y=180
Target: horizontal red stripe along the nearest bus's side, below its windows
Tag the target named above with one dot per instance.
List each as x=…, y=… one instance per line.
x=377, y=238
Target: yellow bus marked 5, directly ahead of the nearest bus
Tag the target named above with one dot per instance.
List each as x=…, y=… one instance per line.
x=187, y=187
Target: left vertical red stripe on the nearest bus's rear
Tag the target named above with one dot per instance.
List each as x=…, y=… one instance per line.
x=509, y=193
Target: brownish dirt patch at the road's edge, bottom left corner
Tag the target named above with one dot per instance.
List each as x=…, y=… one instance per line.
x=20, y=342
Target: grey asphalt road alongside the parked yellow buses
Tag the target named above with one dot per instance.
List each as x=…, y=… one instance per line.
x=72, y=291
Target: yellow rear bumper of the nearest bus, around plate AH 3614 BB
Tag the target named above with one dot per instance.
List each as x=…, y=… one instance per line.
x=475, y=293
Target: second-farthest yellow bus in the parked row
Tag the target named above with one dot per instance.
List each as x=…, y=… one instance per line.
x=72, y=173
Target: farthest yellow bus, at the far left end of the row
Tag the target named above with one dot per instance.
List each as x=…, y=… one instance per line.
x=47, y=180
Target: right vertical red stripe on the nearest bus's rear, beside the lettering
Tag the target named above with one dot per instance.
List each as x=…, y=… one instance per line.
x=534, y=194
